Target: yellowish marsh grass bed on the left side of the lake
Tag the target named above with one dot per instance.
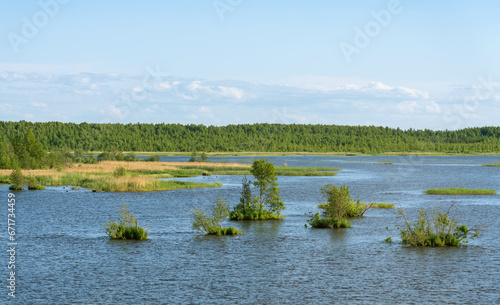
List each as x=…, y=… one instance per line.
x=122, y=176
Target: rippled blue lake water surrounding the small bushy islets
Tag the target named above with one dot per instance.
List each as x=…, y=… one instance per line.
x=64, y=256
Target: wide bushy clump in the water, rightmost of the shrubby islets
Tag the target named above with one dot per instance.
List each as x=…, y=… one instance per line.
x=435, y=230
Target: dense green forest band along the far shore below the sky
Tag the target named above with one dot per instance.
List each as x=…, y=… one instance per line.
x=243, y=138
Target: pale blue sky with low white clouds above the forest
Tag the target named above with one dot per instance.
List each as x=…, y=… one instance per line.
x=396, y=63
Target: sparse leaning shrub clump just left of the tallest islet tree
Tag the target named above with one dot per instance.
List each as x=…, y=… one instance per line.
x=212, y=224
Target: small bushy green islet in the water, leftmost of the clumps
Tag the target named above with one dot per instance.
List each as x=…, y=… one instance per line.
x=128, y=228
